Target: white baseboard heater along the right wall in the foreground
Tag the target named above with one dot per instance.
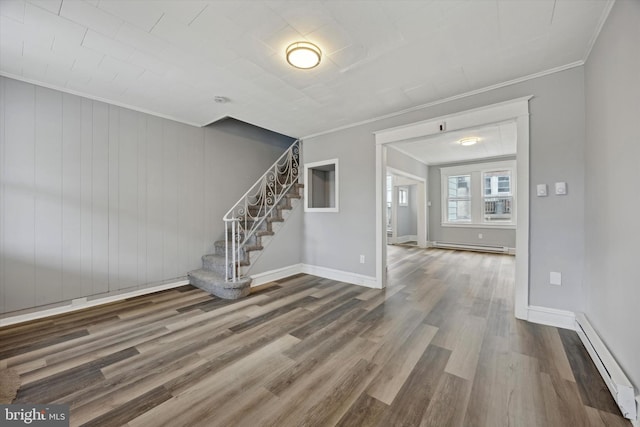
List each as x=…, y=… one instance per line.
x=619, y=385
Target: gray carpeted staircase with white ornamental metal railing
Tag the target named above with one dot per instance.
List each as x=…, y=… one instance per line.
x=248, y=226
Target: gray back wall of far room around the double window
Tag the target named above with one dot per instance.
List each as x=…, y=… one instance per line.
x=464, y=235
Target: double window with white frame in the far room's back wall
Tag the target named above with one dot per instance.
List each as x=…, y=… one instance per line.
x=482, y=194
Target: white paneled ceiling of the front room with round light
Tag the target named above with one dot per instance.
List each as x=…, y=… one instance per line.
x=170, y=58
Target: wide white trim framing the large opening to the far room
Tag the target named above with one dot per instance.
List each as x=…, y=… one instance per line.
x=516, y=110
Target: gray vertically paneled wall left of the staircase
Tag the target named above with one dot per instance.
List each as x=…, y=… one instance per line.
x=95, y=199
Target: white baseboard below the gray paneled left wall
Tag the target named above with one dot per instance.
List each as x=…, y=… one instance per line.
x=82, y=303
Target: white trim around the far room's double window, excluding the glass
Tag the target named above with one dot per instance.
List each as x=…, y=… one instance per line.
x=477, y=170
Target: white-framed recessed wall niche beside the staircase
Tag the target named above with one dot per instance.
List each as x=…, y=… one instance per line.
x=321, y=186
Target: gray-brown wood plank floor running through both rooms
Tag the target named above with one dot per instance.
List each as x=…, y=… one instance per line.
x=438, y=347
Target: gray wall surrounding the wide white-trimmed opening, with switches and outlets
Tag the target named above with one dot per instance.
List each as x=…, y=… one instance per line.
x=556, y=154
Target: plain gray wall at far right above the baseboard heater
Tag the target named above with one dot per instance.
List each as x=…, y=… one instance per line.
x=612, y=281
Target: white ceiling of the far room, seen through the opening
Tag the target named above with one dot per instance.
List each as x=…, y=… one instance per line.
x=496, y=140
